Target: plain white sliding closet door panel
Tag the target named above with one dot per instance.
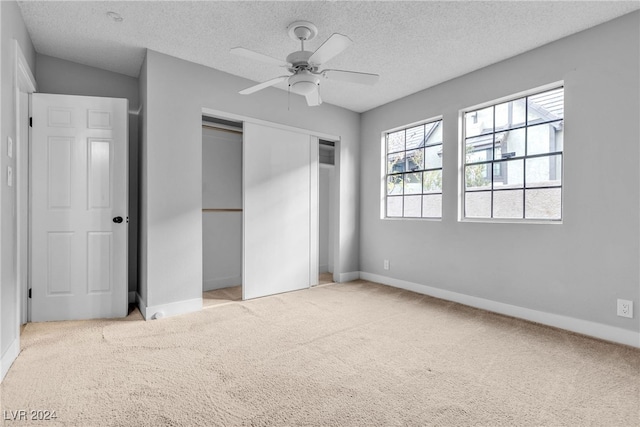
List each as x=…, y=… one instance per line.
x=278, y=173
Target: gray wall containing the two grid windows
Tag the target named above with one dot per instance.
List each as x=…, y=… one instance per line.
x=577, y=269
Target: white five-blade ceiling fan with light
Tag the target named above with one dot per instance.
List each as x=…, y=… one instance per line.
x=305, y=66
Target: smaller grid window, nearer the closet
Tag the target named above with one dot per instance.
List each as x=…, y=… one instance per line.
x=413, y=174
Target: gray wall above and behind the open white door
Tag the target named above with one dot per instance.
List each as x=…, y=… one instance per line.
x=58, y=76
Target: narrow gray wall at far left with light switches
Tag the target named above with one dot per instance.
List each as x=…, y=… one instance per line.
x=12, y=27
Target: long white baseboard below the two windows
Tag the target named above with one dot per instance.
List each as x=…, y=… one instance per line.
x=585, y=327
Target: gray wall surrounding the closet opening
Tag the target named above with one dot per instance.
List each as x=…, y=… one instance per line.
x=171, y=220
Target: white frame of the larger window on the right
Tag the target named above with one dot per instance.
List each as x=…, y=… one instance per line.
x=462, y=159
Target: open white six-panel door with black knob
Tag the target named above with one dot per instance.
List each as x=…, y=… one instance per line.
x=79, y=207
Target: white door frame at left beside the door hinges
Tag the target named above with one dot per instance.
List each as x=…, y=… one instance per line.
x=25, y=83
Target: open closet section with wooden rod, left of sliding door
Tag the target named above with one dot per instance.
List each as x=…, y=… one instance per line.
x=221, y=211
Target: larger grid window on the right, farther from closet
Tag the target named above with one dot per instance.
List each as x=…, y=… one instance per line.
x=513, y=158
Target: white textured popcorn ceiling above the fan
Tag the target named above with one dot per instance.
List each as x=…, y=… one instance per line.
x=412, y=45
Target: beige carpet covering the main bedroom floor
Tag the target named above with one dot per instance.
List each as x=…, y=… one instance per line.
x=355, y=354
